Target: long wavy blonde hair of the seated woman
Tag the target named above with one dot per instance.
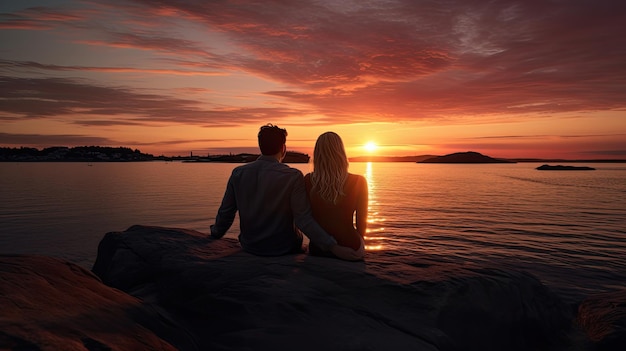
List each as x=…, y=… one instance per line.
x=330, y=167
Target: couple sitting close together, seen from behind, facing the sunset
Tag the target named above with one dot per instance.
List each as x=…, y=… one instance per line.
x=276, y=203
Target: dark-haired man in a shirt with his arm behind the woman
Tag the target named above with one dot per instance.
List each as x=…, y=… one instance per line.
x=271, y=199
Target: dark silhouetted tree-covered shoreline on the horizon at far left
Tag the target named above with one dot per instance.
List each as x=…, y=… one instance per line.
x=78, y=153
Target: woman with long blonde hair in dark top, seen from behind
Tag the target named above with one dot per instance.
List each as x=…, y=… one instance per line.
x=336, y=195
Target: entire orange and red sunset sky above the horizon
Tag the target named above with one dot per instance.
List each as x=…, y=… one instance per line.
x=534, y=78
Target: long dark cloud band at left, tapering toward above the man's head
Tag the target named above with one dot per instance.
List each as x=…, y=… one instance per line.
x=33, y=98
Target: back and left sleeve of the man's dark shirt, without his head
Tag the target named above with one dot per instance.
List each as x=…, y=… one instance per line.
x=268, y=194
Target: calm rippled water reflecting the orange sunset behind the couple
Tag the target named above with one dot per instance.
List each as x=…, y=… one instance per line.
x=567, y=228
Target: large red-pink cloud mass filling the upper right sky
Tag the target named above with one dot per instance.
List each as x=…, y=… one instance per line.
x=410, y=60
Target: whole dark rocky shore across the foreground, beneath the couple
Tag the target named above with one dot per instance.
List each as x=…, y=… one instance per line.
x=160, y=288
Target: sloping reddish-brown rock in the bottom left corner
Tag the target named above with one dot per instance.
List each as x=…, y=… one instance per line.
x=50, y=304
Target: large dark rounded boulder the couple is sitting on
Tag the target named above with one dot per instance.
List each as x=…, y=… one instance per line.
x=226, y=299
